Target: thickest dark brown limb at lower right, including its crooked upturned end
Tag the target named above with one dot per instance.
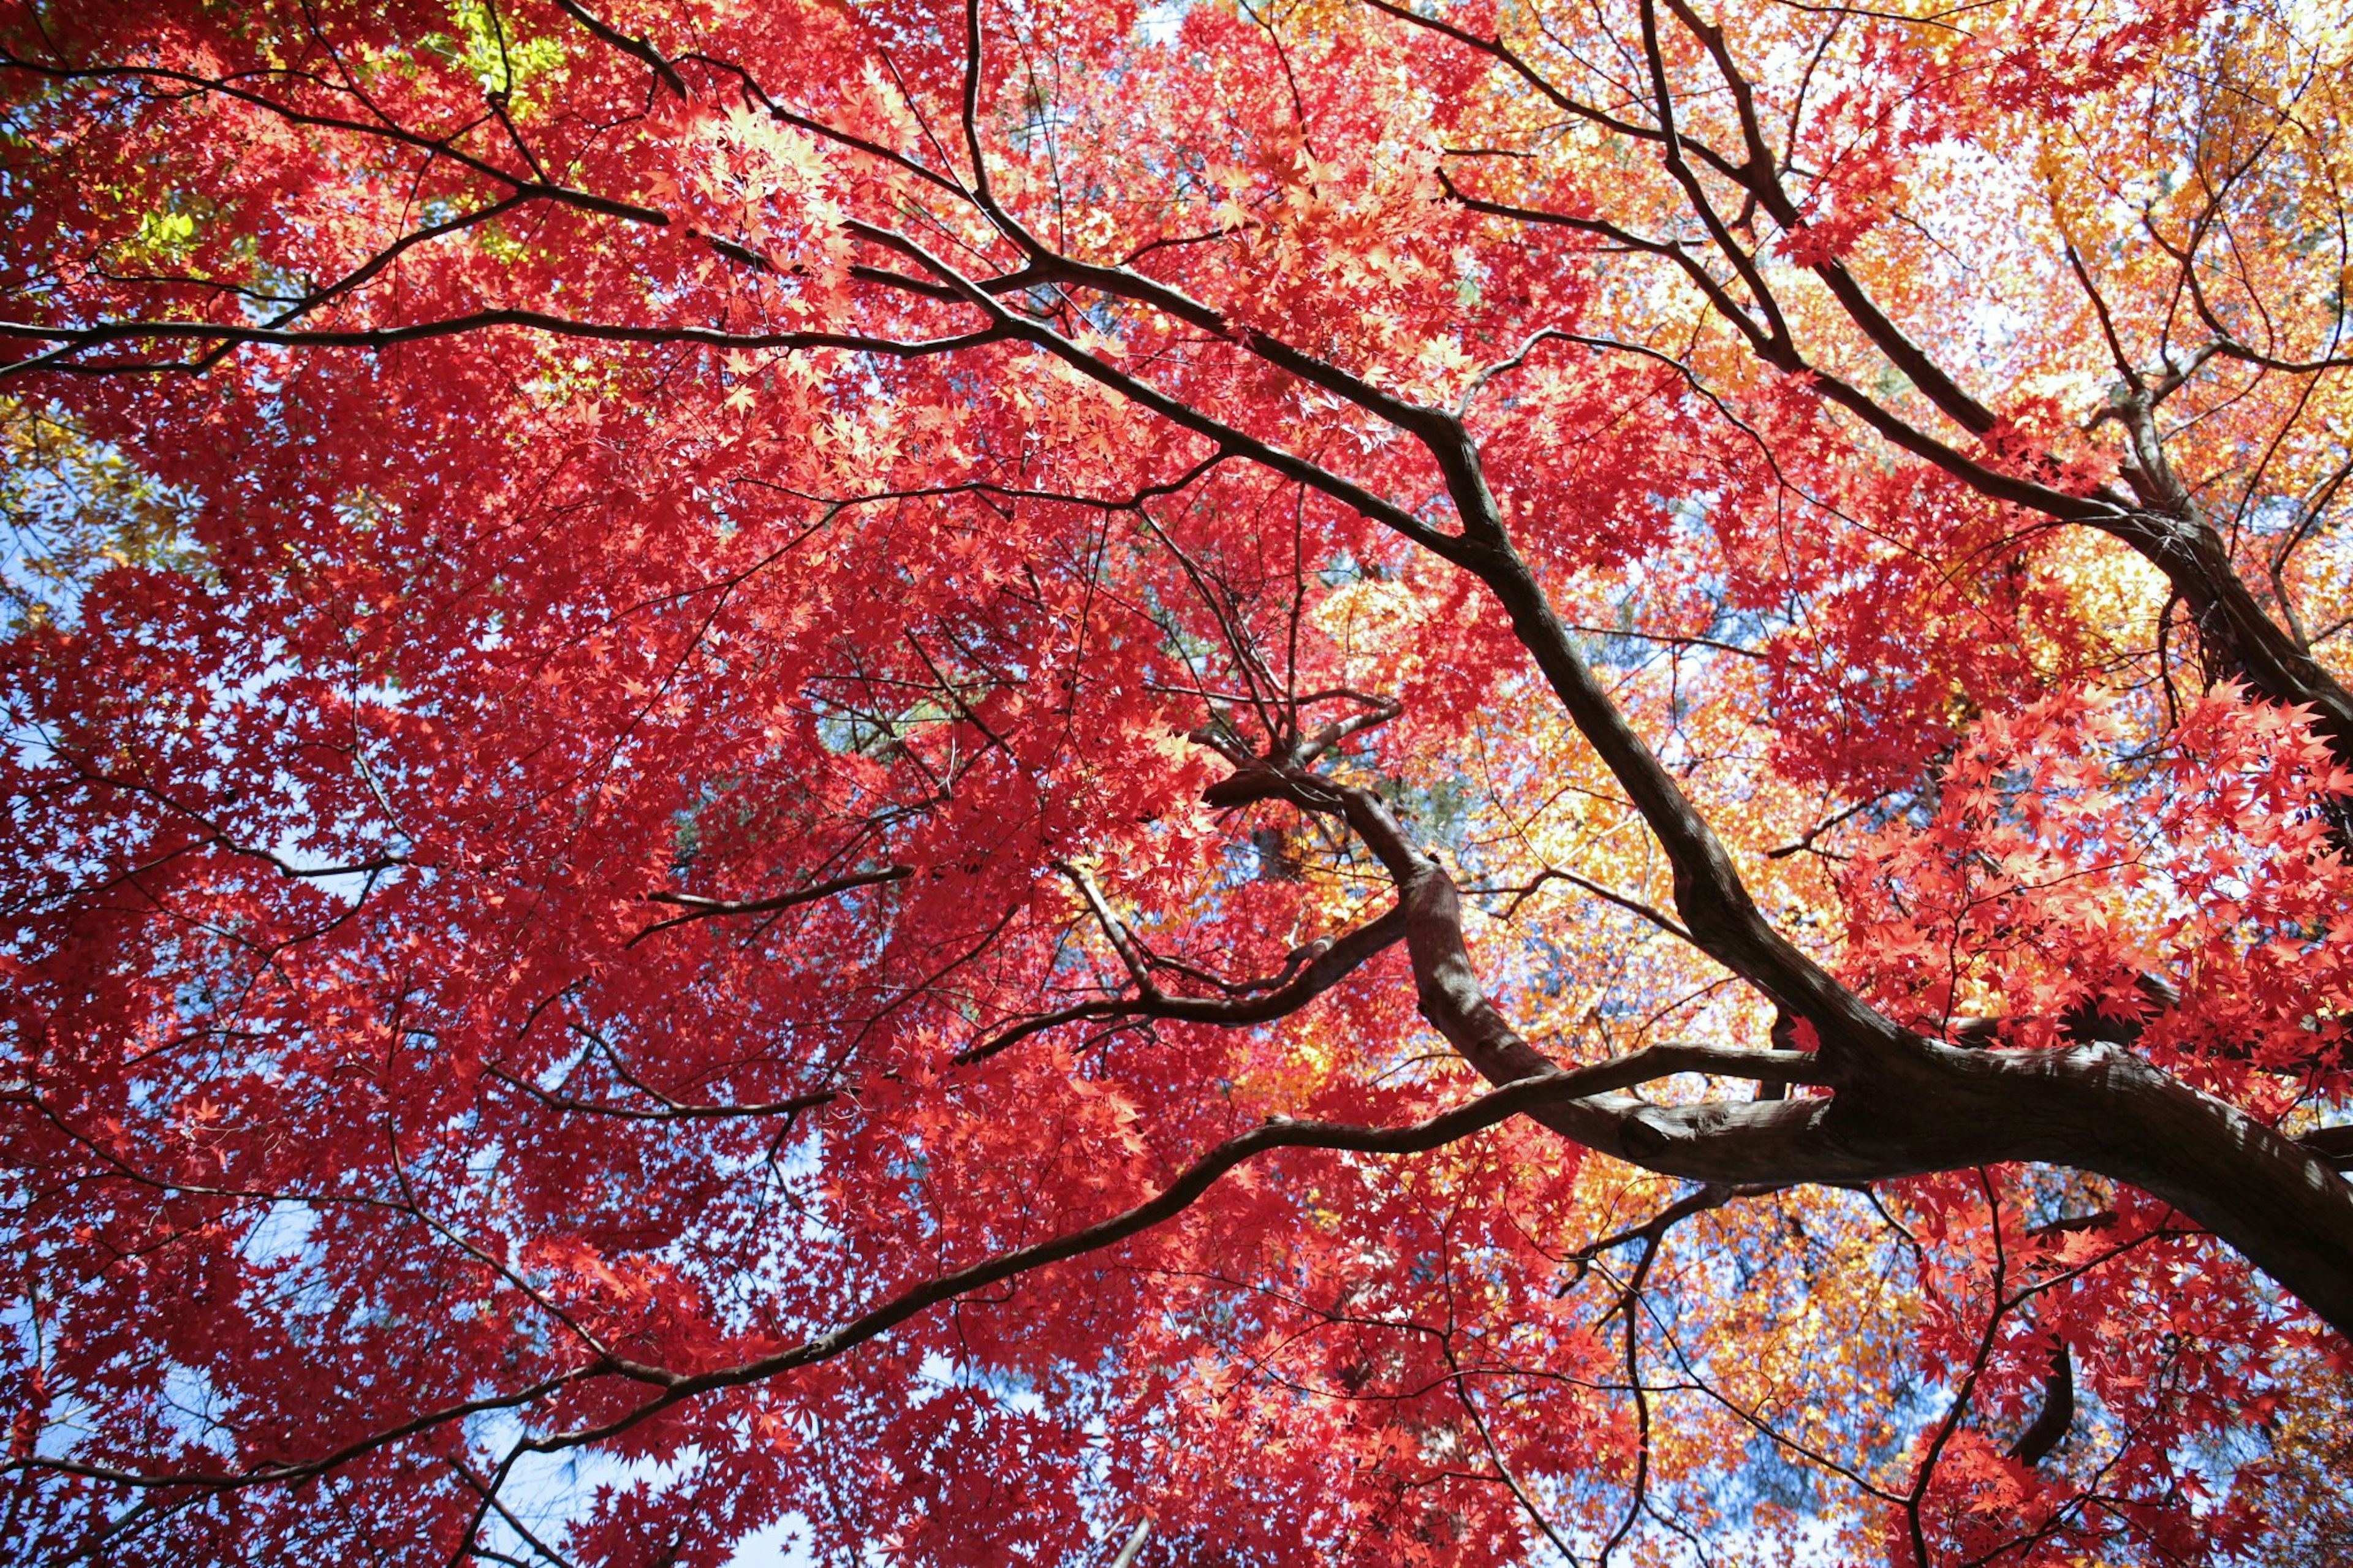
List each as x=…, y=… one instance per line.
x=1909, y=1108
